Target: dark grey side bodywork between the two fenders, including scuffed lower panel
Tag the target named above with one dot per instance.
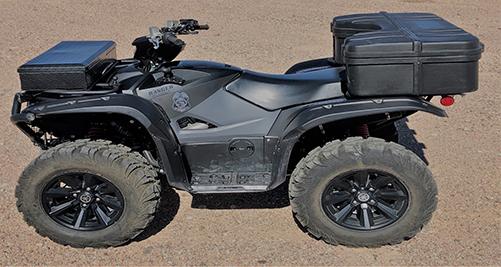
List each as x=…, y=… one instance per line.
x=233, y=154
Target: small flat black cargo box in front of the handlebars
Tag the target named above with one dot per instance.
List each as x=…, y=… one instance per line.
x=72, y=65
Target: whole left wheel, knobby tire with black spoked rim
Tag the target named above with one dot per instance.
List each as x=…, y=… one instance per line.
x=89, y=194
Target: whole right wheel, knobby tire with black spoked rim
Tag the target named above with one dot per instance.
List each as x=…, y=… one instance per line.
x=362, y=192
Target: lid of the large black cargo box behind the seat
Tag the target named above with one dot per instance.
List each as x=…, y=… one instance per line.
x=401, y=35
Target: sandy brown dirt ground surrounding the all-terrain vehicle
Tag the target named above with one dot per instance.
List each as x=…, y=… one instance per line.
x=464, y=149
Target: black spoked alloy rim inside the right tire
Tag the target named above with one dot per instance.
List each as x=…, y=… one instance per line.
x=365, y=200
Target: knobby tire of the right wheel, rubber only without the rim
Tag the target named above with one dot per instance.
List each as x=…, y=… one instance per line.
x=323, y=164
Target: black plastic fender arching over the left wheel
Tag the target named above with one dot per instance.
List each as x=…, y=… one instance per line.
x=144, y=111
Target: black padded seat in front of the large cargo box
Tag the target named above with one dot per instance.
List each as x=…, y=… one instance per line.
x=276, y=91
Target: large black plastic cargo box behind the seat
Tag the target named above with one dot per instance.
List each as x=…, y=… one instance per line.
x=405, y=54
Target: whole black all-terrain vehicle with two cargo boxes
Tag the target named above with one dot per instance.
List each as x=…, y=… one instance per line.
x=114, y=132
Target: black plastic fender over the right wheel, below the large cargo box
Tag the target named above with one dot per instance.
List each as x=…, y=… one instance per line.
x=315, y=114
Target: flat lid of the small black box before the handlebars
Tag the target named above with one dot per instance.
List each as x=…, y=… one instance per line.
x=74, y=55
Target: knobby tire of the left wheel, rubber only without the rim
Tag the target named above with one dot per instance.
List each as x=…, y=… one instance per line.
x=127, y=171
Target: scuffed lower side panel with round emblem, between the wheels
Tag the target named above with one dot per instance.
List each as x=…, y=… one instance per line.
x=240, y=163
